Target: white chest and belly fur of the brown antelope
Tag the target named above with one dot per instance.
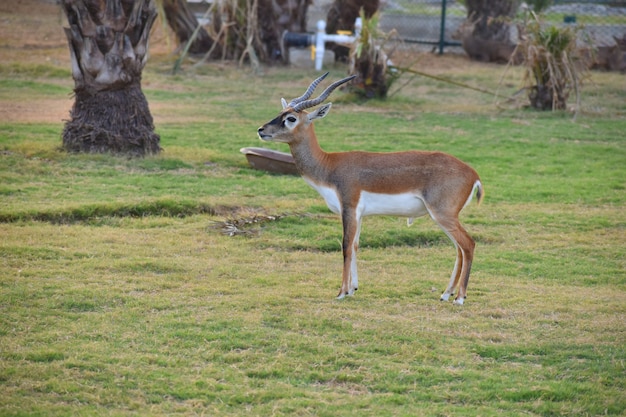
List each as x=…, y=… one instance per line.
x=371, y=204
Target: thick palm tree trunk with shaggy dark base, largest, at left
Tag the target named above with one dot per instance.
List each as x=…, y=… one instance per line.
x=108, y=44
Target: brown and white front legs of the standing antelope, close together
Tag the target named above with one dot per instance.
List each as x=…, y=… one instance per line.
x=351, y=231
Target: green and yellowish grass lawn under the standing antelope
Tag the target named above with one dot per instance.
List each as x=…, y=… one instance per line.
x=120, y=295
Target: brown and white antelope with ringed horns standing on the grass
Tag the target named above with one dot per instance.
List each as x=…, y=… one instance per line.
x=356, y=184
